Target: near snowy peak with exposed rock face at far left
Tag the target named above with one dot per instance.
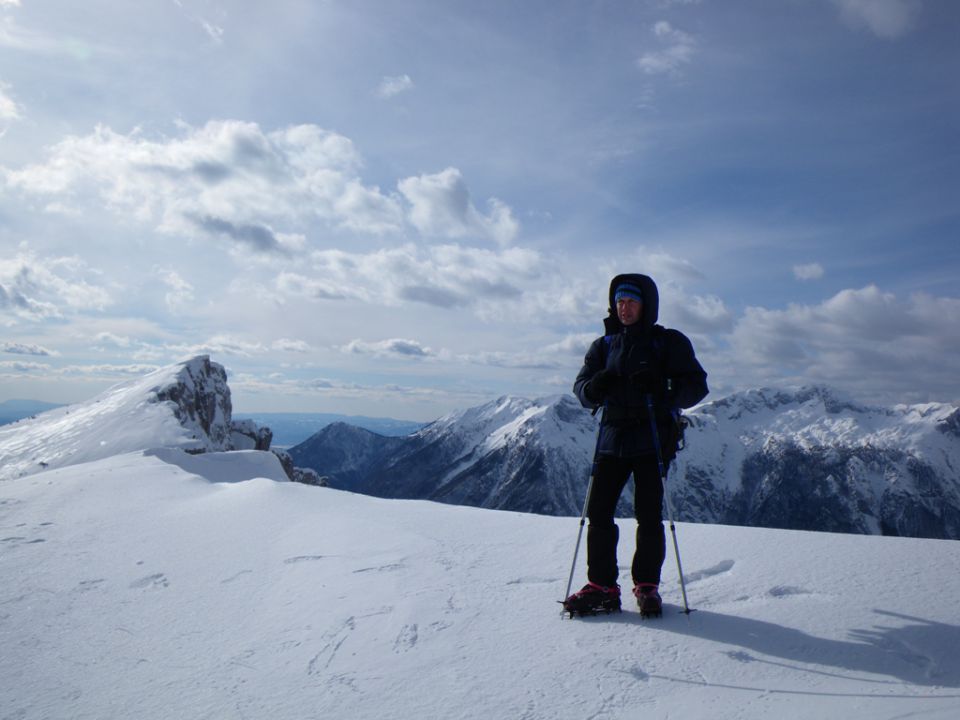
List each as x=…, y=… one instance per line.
x=185, y=405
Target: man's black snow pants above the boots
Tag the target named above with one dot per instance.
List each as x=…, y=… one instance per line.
x=610, y=477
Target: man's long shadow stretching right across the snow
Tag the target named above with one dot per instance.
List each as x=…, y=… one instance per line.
x=914, y=650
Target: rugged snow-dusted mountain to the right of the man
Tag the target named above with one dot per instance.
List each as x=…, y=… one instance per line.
x=814, y=459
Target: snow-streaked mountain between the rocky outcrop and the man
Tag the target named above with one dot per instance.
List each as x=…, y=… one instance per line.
x=512, y=452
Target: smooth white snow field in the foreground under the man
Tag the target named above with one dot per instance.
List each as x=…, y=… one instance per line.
x=145, y=585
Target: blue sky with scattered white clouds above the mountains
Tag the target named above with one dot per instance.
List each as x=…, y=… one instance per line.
x=403, y=208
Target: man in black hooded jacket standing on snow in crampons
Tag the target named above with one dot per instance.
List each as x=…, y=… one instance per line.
x=635, y=361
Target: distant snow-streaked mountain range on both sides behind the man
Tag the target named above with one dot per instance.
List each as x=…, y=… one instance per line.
x=810, y=459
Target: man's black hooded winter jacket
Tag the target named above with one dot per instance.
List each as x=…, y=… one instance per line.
x=627, y=350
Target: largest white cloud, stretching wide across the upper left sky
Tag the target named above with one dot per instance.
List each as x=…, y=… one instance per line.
x=227, y=179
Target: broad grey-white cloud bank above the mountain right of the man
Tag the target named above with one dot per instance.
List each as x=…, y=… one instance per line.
x=866, y=340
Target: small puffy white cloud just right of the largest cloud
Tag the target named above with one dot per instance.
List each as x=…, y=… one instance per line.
x=441, y=207
